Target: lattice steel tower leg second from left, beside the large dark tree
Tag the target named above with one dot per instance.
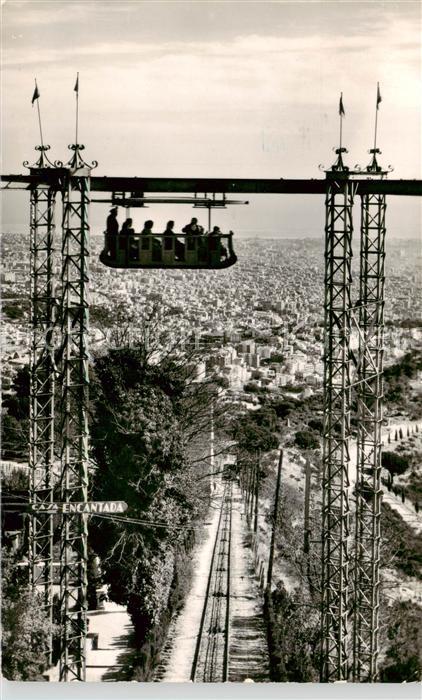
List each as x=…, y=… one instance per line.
x=74, y=424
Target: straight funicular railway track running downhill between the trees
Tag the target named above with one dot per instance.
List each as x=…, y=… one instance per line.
x=211, y=659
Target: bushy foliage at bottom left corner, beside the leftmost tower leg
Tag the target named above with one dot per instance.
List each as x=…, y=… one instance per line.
x=26, y=628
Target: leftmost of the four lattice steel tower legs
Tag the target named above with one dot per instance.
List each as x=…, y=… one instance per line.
x=42, y=385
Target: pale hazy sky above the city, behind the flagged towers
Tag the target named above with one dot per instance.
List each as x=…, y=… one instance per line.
x=246, y=89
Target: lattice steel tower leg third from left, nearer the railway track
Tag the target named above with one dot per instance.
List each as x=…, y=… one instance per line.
x=337, y=398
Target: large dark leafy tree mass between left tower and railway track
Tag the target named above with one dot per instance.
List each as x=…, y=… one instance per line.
x=138, y=446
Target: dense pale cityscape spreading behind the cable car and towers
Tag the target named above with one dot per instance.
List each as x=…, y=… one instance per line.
x=263, y=317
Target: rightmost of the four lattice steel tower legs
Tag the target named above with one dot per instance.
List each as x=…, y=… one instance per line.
x=369, y=402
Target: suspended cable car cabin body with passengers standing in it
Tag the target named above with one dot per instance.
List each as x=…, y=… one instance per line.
x=177, y=251
